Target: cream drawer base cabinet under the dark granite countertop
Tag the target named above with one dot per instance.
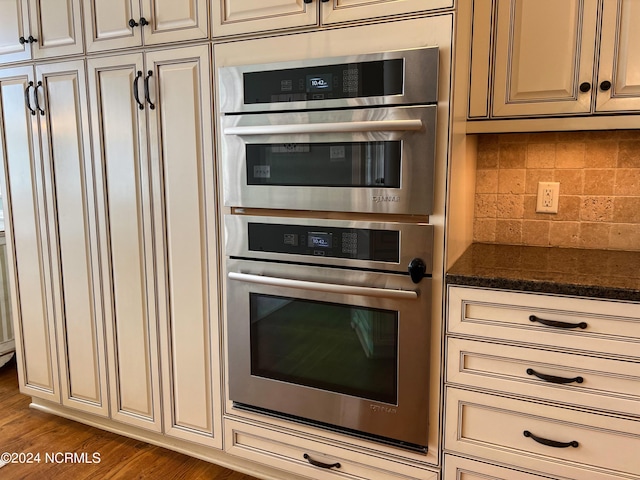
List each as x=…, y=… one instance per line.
x=541, y=384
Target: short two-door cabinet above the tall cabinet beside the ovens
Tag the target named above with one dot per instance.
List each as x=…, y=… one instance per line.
x=129, y=23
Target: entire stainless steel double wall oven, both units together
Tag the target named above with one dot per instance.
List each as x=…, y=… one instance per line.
x=328, y=293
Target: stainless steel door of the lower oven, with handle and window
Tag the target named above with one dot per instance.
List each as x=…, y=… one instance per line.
x=347, y=349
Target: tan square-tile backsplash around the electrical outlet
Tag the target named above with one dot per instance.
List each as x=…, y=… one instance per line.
x=599, y=176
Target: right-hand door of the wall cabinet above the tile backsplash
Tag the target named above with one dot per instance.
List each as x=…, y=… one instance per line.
x=620, y=57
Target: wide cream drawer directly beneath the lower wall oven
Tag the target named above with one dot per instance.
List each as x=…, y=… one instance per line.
x=293, y=453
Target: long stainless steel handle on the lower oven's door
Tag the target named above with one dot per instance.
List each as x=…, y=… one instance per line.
x=325, y=287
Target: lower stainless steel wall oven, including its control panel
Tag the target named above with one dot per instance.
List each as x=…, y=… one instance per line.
x=328, y=322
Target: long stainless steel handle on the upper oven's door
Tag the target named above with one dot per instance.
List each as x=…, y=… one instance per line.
x=332, y=127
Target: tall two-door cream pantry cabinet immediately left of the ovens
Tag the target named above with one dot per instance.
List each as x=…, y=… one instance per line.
x=157, y=222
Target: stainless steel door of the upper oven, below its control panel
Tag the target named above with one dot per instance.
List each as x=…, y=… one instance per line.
x=377, y=160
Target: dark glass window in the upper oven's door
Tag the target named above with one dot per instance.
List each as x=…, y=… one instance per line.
x=346, y=164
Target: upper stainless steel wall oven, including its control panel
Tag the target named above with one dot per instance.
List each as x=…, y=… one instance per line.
x=347, y=134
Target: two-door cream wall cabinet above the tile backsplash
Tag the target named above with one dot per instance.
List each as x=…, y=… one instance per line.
x=554, y=57
